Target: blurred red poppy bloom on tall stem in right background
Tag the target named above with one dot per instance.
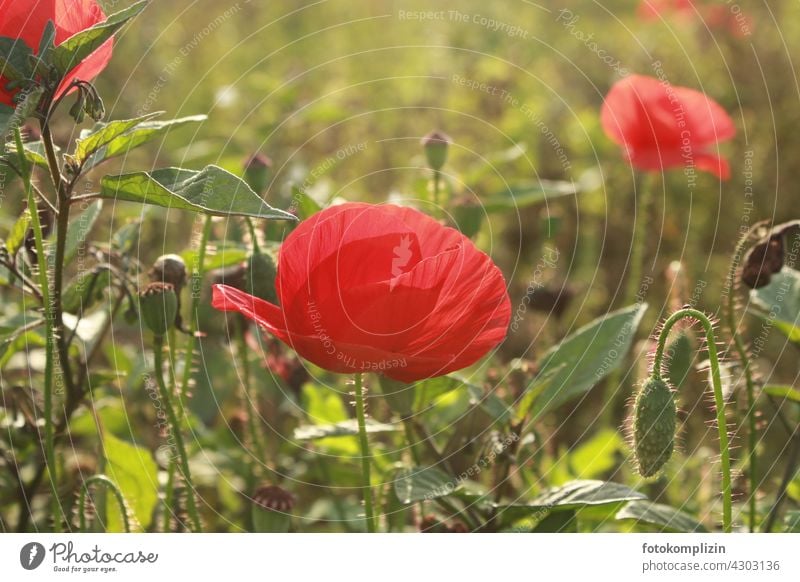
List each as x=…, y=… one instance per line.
x=663, y=127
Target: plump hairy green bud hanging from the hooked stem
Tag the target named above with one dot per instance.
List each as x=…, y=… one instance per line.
x=654, y=415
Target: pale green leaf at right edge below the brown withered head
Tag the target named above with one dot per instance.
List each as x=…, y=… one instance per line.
x=779, y=303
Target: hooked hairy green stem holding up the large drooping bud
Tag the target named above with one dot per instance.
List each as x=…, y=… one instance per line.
x=716, y=380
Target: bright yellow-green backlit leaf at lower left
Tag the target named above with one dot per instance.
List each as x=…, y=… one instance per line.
x=133, y=469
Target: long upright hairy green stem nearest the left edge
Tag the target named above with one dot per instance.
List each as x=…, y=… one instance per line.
x=49, y=317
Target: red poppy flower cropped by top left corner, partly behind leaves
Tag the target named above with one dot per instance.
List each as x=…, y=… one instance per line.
x=26, y=19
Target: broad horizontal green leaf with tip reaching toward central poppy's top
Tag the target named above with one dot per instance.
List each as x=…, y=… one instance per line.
x=211, y=191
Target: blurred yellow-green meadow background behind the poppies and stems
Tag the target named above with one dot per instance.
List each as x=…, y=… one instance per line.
x=338, y=94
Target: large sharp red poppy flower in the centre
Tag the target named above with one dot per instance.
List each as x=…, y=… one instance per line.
x=381, y=288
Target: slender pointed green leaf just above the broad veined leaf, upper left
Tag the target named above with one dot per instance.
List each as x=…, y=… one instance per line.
x=131, y=138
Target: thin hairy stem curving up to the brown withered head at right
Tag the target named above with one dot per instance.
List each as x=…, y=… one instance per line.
x=741, y=350
